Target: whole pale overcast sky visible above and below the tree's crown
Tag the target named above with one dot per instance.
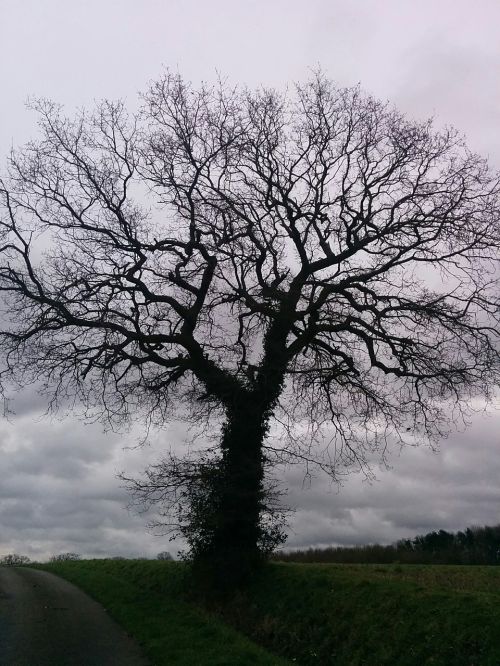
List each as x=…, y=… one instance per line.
x=58, y=490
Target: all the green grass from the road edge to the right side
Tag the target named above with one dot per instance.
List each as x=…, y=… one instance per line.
x=344, y=615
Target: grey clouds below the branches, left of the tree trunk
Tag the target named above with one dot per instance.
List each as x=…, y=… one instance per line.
x=59, y=490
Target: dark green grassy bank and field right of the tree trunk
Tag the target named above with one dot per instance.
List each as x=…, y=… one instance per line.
x=353, y=615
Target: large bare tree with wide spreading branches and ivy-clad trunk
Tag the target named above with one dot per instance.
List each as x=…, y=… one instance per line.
x=313, y=260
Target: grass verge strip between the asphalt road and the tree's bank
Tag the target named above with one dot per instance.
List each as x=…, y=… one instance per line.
x=145, y=597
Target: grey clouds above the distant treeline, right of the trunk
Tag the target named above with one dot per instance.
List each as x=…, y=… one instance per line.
x=425, y=490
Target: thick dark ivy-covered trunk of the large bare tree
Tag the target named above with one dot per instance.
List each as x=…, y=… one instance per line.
x=233, y=552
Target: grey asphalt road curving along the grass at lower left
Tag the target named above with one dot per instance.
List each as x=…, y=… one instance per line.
x=46, y=621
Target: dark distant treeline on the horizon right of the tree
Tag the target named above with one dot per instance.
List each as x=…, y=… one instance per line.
x=475, y=545
